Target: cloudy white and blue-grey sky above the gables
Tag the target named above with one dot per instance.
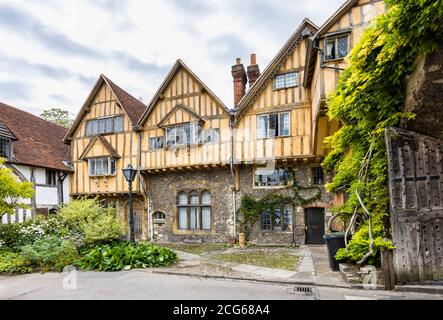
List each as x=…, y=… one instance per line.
x=53, y=50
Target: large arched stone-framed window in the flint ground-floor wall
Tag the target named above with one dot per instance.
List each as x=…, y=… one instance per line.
x=194, y=213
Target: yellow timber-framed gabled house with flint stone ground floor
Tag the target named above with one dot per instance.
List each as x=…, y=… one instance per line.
x=196, y=158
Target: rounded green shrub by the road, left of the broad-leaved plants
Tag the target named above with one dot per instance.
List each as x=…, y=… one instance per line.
x=50, y=254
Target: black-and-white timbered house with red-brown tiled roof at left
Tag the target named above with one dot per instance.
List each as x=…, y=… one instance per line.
x=34, y=150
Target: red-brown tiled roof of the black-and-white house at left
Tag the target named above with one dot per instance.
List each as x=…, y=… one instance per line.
x=39, y=142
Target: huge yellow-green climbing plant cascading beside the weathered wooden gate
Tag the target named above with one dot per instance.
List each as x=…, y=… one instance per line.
x=369, y=97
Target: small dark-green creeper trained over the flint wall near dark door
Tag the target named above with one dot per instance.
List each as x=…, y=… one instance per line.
x=251, y=207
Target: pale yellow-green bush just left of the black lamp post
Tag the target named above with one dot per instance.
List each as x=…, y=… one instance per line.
x=98, y=224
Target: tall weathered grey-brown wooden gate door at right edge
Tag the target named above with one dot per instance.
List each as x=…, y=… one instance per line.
x=415, y=166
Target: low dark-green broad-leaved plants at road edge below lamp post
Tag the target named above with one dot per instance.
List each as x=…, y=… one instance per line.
x=125, y=256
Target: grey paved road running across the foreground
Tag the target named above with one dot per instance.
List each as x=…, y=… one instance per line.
x=136, y=285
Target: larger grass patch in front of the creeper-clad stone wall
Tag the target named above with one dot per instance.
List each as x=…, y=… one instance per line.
x=278, y=260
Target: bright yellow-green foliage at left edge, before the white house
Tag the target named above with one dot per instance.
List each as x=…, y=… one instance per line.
x=12, y=191
